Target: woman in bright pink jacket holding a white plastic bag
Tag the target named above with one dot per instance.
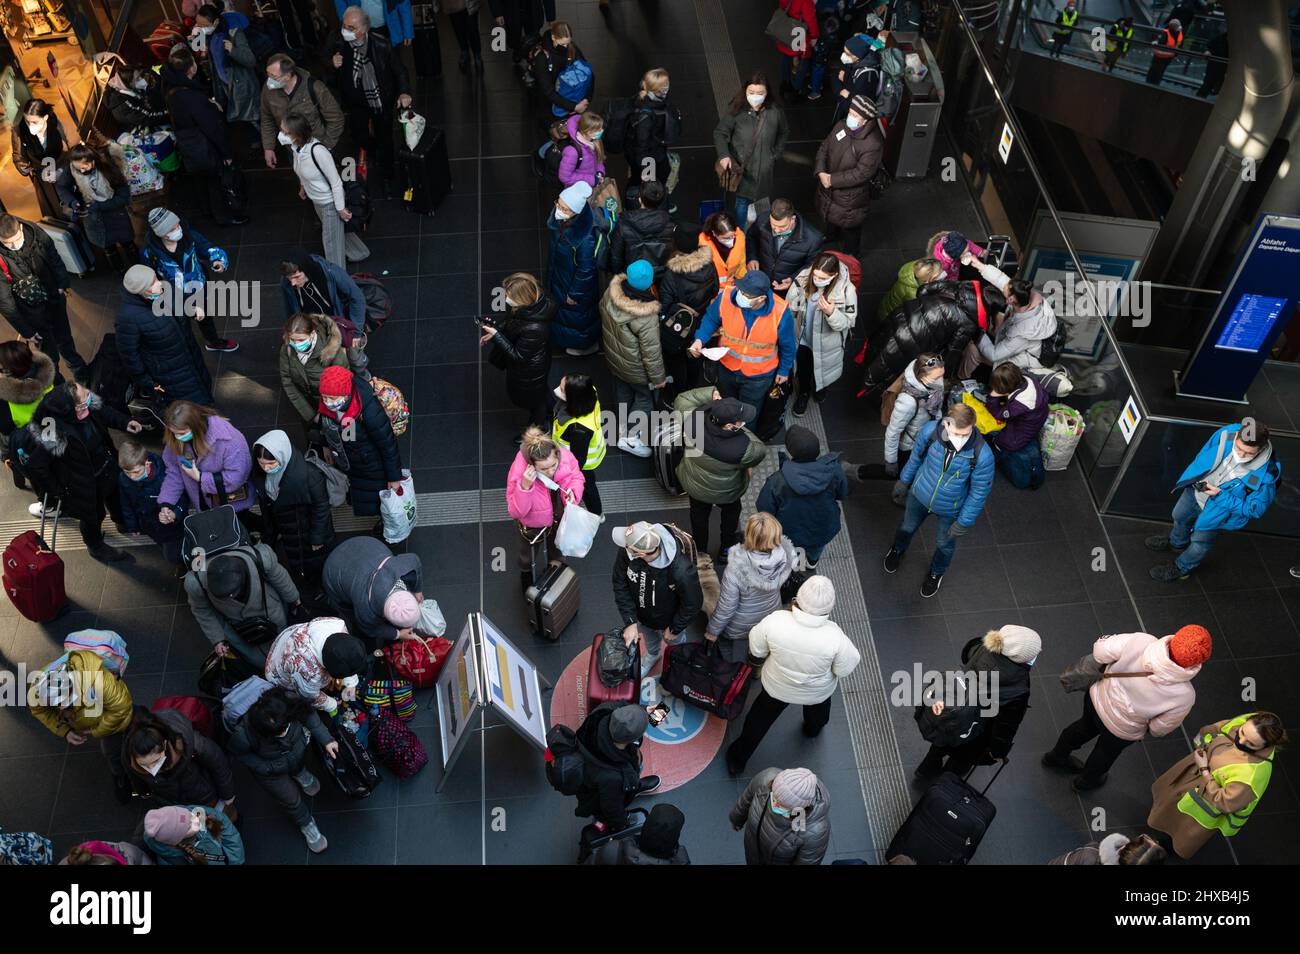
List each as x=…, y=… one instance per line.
x=541, y=482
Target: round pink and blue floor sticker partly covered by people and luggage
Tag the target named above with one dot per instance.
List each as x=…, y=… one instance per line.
x=677, y=751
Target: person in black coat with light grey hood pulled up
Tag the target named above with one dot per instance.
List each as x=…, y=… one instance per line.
x=294, y=506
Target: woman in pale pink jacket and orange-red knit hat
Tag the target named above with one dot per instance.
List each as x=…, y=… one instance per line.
x=1147, y=687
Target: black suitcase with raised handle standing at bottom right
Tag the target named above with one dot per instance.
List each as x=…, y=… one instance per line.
x=948, y=823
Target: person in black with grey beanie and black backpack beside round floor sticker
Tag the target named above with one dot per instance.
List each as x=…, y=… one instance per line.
x=610, y=740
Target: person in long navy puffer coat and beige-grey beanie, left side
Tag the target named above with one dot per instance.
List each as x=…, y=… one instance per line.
x=158, y=349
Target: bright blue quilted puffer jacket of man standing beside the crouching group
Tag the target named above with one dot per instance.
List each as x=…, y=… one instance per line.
x=959, y=489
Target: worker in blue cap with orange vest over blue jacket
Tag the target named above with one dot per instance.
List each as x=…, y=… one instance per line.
x=759, y=333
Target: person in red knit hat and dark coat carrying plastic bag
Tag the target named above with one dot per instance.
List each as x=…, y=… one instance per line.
x=370, y=456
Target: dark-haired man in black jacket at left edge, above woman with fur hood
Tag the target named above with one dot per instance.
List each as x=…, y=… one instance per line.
x=33, y=284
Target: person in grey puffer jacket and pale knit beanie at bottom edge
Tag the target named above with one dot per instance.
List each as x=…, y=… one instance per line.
x=786, y=817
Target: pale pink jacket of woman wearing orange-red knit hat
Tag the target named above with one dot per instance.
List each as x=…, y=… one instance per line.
x=1132, y=708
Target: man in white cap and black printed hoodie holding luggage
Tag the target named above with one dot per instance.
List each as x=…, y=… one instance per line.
x=656, y=588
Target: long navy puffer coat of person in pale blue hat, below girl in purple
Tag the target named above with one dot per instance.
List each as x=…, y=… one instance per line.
x=573, y=276
